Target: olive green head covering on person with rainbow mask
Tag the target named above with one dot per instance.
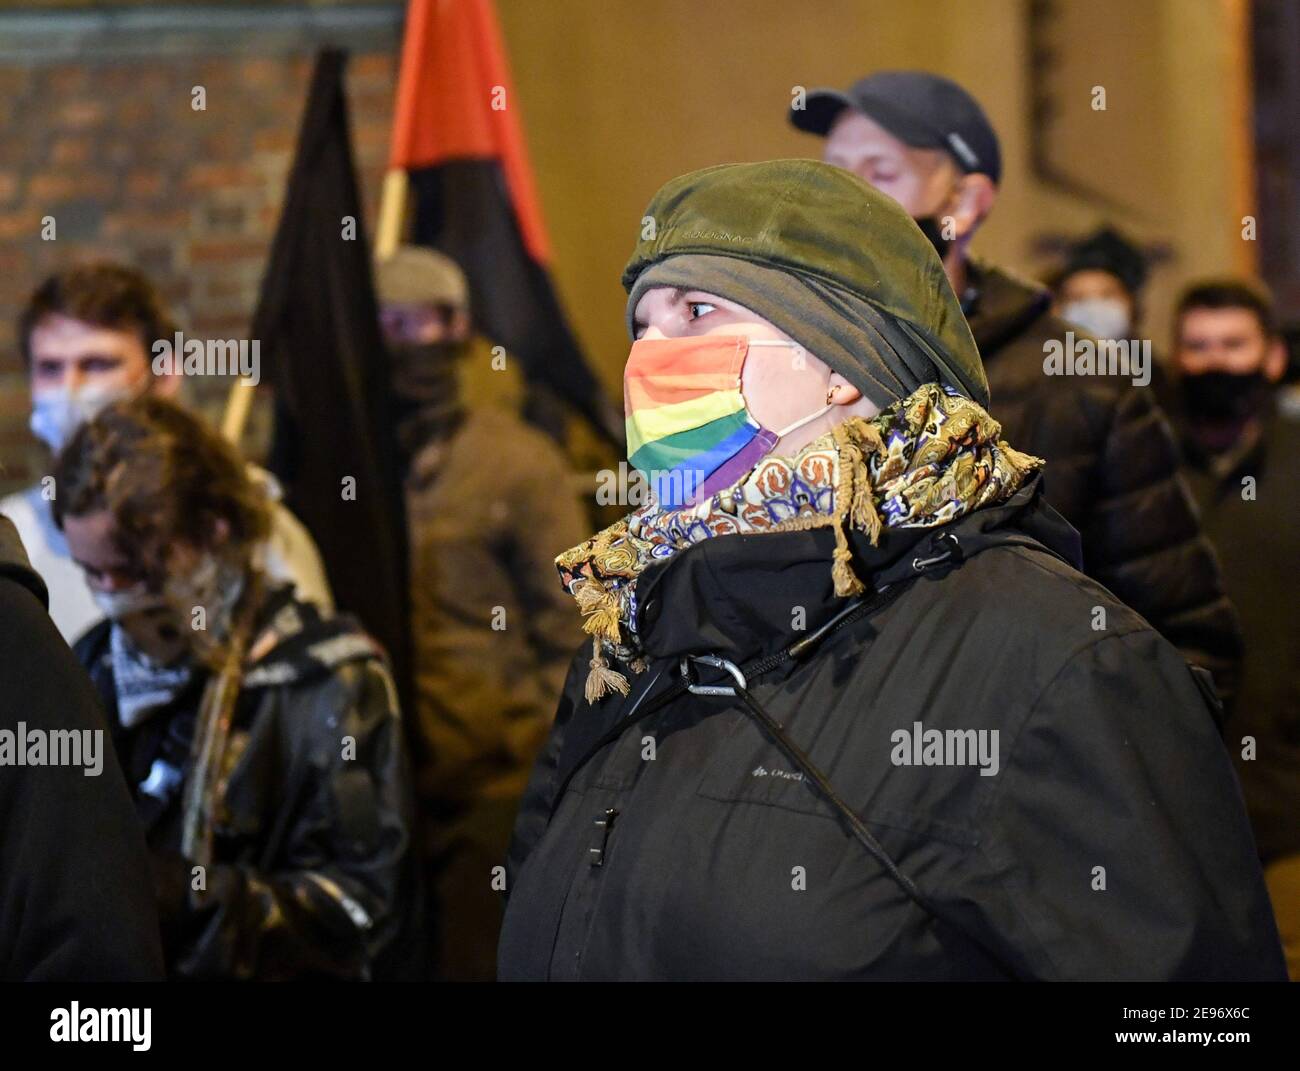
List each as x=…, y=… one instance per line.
x=822, y=255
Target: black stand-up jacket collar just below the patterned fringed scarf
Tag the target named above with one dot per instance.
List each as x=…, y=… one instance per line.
x=744, y=597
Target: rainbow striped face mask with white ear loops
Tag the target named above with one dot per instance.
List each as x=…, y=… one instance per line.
x=690, y=431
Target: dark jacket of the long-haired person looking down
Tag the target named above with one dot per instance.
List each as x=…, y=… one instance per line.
x=313, y=874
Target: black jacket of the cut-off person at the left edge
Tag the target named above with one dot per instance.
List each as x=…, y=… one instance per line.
x=75, y=877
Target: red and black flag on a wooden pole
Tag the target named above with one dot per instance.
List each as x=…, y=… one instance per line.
x=457, y=135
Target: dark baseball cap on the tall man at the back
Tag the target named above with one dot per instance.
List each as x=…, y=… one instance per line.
x=920, y=110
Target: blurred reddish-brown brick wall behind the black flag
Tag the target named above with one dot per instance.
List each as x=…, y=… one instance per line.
x=109, y=145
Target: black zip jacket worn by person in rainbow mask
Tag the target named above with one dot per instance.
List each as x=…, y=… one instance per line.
x=674, y=836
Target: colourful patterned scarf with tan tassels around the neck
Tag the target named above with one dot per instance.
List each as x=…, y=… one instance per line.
x=924, y=462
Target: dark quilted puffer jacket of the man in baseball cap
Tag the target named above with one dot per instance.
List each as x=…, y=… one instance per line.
x=1113, y=471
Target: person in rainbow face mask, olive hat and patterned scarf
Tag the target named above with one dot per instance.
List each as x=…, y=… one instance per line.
x=851, y=712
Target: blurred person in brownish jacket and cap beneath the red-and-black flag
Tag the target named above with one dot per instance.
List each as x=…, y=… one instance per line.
x=491, y=501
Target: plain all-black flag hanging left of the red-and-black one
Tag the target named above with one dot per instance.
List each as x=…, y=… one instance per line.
x=319, y=328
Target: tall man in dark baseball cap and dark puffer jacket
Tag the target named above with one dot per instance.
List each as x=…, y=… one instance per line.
x=1112, y=462
